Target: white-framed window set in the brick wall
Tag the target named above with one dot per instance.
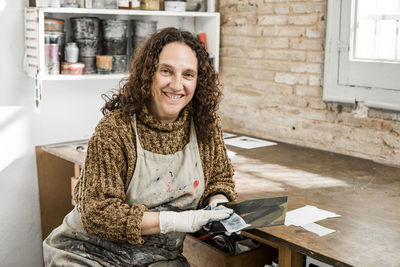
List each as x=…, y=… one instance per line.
x=362, y=53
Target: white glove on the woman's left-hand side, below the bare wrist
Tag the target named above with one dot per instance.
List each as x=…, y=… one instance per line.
x=191, y=220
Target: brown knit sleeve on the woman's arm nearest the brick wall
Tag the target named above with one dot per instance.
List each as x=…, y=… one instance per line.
x=219, y=170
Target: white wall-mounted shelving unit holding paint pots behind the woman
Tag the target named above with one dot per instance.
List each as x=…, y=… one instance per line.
x=195, y=22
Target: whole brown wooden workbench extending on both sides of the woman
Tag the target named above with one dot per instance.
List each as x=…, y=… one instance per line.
x=364, y=193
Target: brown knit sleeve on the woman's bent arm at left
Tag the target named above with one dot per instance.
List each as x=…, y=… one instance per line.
x=103, y=182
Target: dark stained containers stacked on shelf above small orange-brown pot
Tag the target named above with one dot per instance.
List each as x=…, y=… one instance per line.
x=115, y=41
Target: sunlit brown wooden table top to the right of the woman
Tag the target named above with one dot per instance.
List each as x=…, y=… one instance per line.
x=364, y=193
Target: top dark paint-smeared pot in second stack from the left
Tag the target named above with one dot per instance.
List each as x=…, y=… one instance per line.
x=85, y=27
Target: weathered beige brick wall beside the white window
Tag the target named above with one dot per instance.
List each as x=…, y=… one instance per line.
x=271, y=68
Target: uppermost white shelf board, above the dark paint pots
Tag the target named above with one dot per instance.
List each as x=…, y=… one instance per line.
x=127, y=12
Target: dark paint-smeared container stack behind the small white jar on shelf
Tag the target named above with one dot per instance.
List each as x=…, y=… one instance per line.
x=86, y=33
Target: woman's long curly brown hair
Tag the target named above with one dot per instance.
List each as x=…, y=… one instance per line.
x=135, y=90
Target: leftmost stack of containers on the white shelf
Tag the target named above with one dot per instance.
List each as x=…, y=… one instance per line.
x=54, y=39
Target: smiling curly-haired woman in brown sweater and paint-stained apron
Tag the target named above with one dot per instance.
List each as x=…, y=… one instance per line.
x=156, y=156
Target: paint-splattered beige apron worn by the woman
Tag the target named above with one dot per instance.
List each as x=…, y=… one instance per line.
x=161, y=182
